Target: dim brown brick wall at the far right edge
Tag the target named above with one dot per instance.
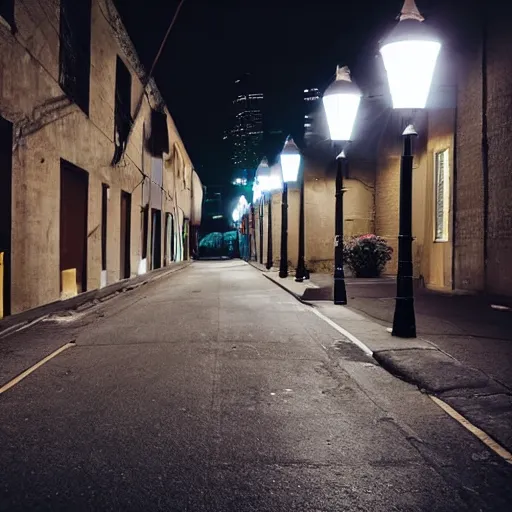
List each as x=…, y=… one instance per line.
x=485, y=63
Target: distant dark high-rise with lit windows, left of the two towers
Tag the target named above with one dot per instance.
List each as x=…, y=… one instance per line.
x=246, y=135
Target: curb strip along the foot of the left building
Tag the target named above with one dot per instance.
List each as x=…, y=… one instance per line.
x=83, y=301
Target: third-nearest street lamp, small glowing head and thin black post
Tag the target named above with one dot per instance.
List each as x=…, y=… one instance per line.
x=290, y=163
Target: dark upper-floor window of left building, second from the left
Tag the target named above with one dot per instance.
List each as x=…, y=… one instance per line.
x=122, y=109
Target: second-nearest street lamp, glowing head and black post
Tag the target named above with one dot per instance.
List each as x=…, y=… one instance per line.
x=341, y=102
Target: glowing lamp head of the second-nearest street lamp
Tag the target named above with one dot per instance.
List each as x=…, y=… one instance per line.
x=341, y=103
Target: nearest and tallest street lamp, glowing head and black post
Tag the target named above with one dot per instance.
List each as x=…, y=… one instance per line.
x=410, y=54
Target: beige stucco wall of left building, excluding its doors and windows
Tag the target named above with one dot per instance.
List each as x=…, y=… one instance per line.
x=47, y=128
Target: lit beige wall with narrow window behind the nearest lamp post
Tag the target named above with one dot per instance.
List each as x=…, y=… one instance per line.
x=432, y=260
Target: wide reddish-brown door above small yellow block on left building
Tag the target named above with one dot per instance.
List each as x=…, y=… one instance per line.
x=74, y=187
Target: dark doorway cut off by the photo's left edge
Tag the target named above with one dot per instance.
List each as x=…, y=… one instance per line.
x=6, y=210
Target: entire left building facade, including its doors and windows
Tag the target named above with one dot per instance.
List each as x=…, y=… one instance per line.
x=96, y=183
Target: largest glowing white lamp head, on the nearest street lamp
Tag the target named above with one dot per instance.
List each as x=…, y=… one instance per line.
x=410, y=54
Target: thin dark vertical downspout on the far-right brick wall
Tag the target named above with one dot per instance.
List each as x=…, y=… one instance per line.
x=485, y=144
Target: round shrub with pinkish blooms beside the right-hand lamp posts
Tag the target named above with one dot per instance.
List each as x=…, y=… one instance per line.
x=366, y=255
